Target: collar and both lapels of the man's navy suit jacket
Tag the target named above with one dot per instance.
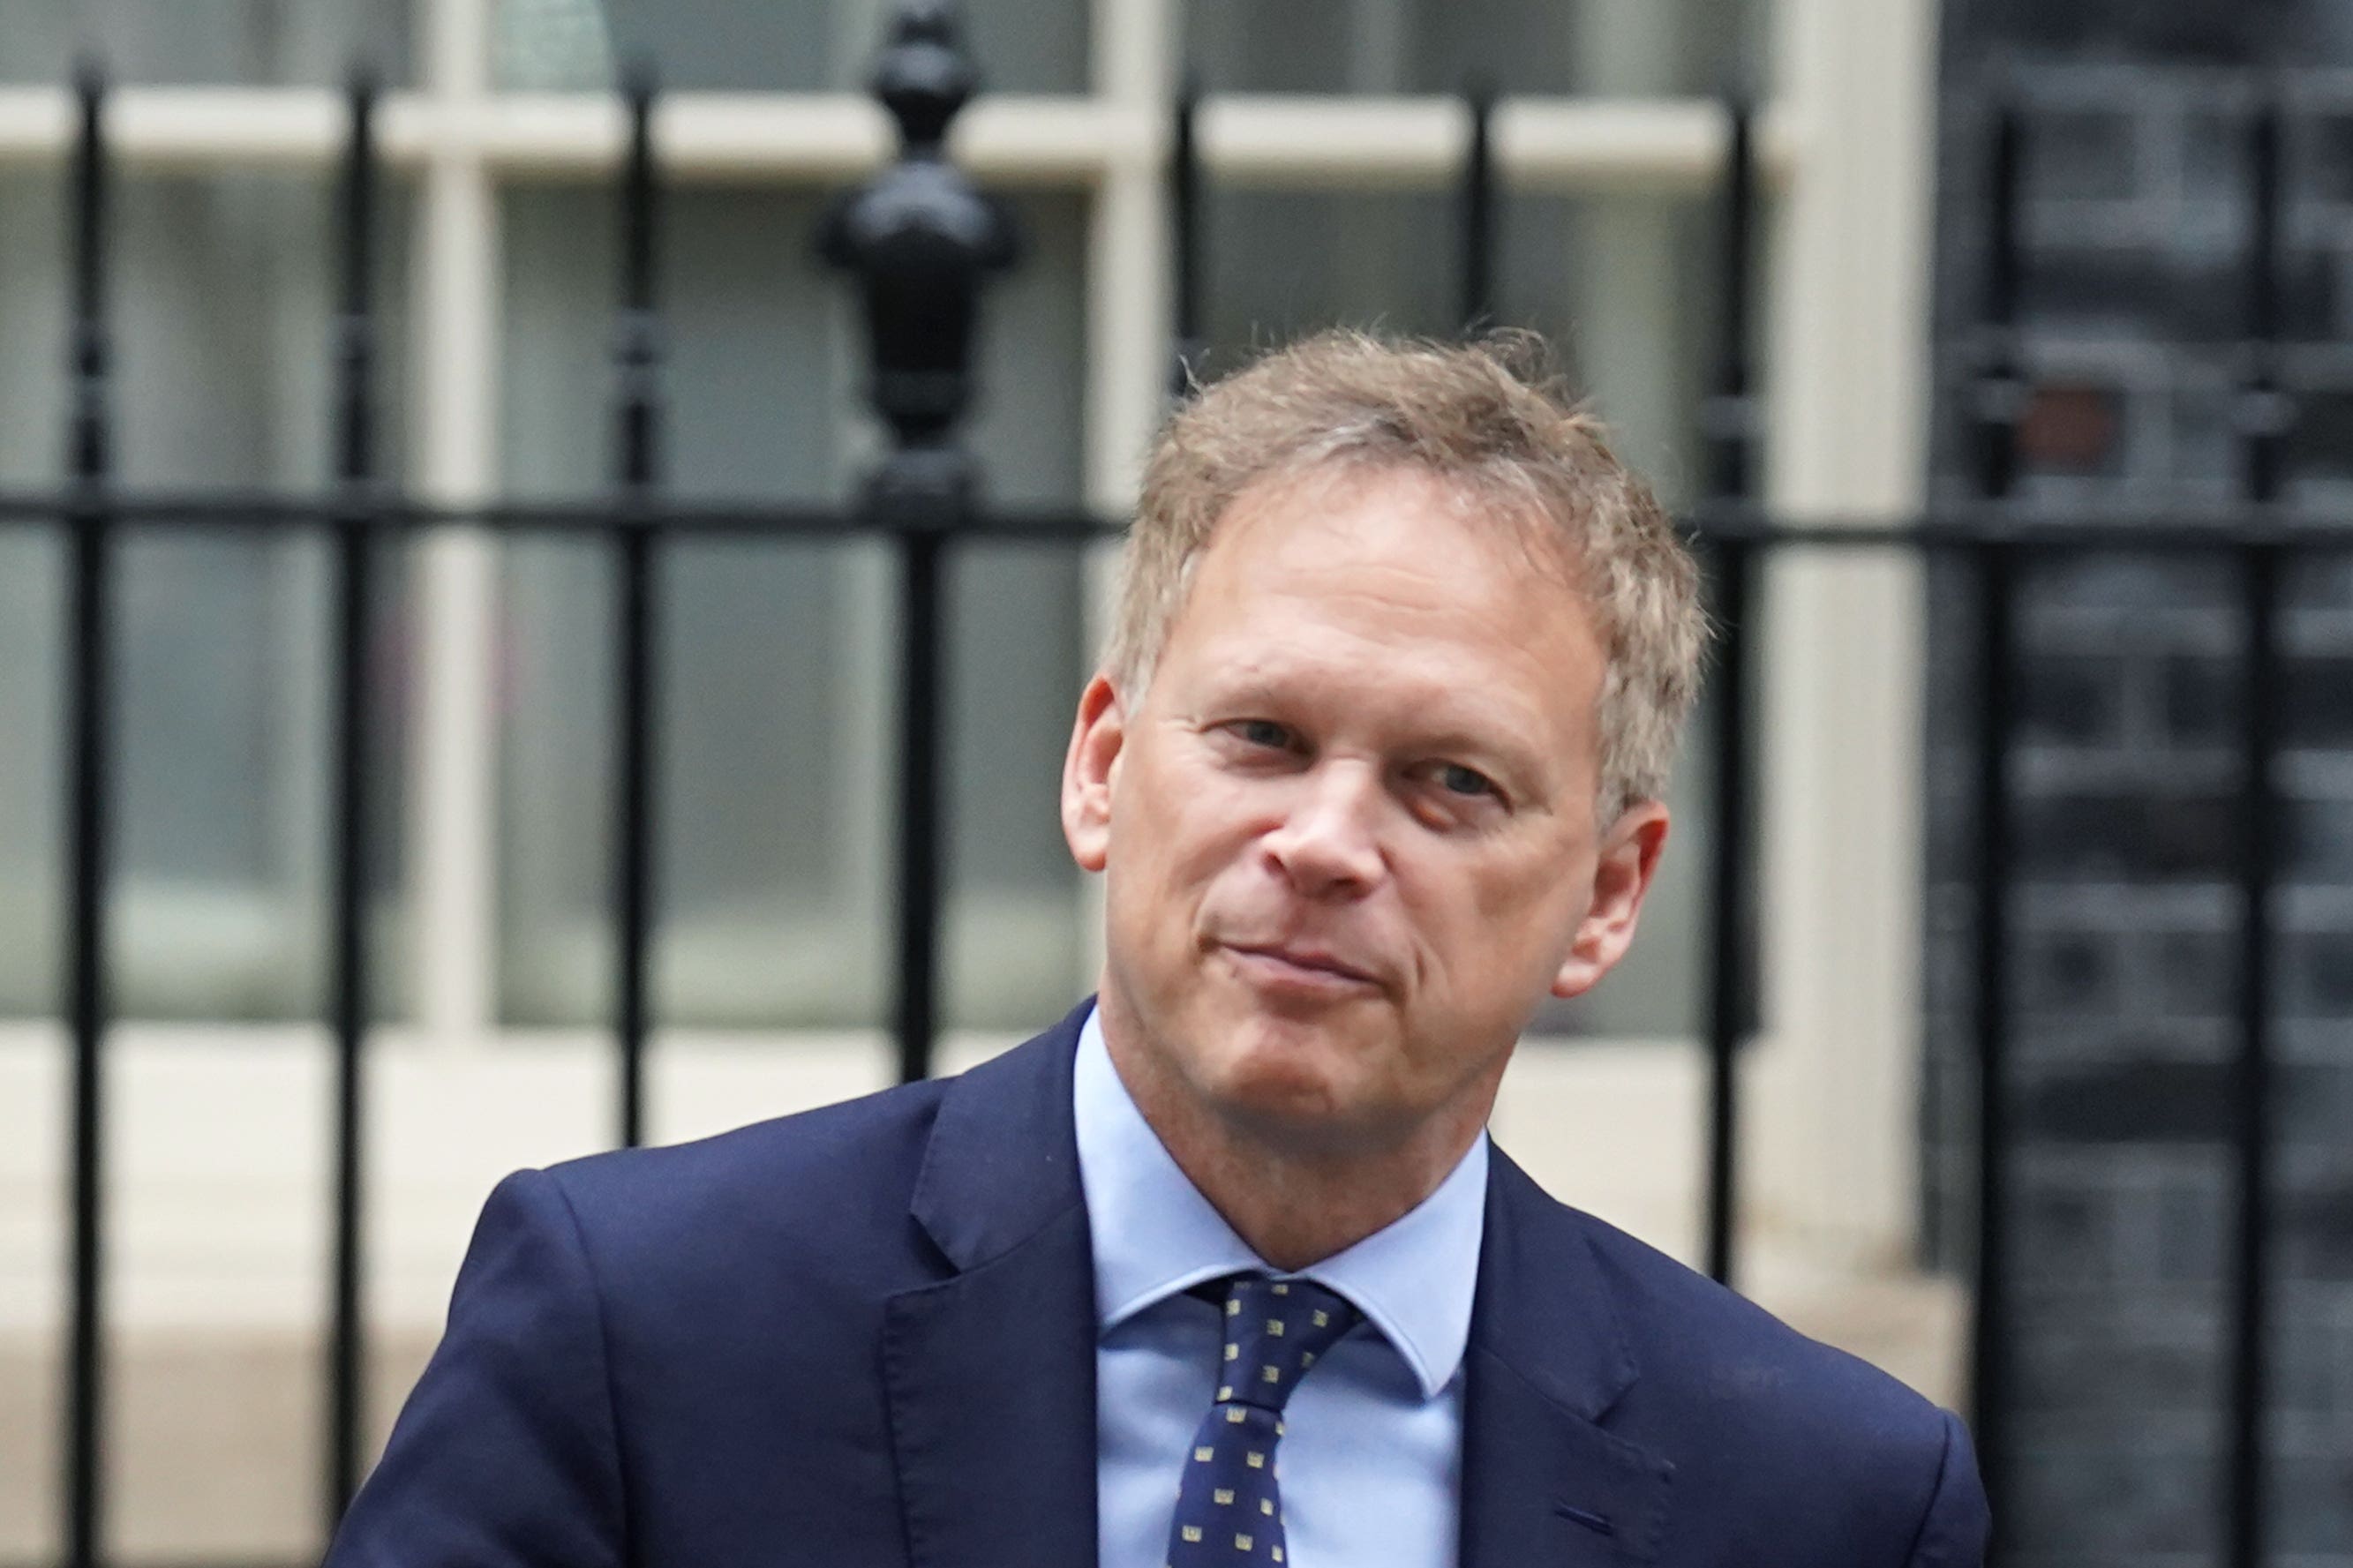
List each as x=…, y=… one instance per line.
x=989, y=1372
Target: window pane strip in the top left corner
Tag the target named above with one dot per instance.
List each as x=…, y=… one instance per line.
x=215, y=43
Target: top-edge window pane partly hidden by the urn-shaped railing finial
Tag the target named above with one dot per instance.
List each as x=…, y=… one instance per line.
x=749, y=46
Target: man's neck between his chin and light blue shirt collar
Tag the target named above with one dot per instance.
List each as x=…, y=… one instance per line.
x=1293, y=1205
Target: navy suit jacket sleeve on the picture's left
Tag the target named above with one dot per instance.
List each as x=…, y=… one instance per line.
x=505, y=1454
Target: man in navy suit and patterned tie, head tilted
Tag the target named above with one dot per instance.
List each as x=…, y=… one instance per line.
x=1222, y=1268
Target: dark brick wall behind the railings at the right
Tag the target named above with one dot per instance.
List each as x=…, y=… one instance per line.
x=2126, y=770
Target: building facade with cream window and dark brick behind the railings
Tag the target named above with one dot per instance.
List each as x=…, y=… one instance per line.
x=1333, y=133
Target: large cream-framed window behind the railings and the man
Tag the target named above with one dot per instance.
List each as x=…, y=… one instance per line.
x=1326, y=196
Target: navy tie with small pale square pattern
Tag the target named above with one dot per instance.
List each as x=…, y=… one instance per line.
x=1229, y=1508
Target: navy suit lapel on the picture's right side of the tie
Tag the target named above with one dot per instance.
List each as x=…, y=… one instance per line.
x=1542, y=1480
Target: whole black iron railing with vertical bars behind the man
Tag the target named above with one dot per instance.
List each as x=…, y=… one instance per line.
x=919, y=243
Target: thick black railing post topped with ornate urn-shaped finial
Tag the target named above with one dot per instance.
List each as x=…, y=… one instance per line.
x=921, y=241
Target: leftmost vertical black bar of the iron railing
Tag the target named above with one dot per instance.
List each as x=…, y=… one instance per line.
x=88, y=819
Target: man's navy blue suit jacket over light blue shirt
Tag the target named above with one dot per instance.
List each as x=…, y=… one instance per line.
x=867, y=1336
